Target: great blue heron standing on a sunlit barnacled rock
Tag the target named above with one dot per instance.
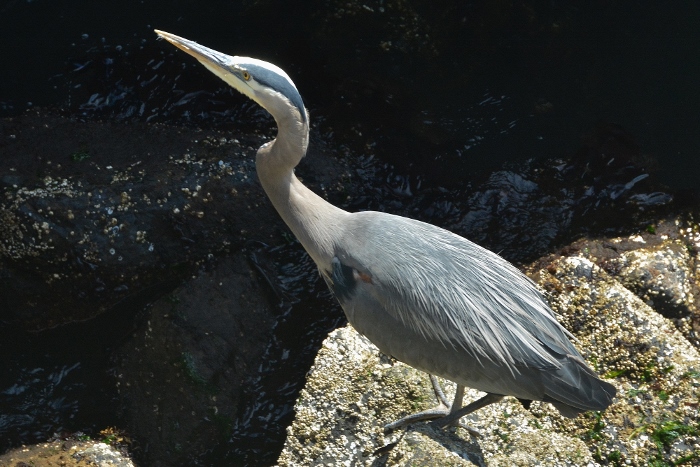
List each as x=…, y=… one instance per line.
x=421, y=294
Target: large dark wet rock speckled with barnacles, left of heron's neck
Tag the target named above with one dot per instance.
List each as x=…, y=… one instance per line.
x=96, y=212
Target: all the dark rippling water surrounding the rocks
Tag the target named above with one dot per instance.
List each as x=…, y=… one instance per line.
x=429, y=133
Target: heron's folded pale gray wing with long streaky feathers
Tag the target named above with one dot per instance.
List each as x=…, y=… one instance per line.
x=449, y=289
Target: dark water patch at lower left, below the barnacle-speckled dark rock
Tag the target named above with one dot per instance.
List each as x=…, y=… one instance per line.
x=55, y=382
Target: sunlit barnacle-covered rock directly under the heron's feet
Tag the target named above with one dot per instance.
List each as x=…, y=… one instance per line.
x=341, y=414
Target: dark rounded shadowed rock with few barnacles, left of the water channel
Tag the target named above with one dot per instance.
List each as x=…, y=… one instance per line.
x=181, y=378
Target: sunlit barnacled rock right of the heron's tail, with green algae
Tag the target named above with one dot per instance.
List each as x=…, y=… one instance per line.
x=652, y=364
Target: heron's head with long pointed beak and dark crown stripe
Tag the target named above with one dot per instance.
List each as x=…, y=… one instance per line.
x=263, y=82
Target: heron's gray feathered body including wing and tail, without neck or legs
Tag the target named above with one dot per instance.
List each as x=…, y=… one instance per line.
x=447, y=306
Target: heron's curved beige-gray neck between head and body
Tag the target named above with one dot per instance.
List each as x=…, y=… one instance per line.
x=312, y=219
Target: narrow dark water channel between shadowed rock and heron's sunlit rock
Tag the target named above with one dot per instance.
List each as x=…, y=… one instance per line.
x=310, y=313
